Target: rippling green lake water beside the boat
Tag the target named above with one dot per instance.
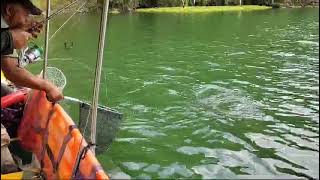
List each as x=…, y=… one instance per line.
x=222, y=95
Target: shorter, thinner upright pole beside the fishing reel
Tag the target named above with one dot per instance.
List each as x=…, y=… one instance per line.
x=46, y=44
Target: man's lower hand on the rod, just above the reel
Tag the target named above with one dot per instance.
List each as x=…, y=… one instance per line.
x=20, y=38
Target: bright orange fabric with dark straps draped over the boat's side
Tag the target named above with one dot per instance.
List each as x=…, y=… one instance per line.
x=48, y=131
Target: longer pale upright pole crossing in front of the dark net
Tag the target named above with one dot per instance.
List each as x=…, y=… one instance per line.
x=95, y=99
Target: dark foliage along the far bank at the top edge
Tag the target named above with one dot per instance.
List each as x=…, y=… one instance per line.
x=132, y=5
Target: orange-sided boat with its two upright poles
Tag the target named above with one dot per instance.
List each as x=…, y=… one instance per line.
x=45, y=141
